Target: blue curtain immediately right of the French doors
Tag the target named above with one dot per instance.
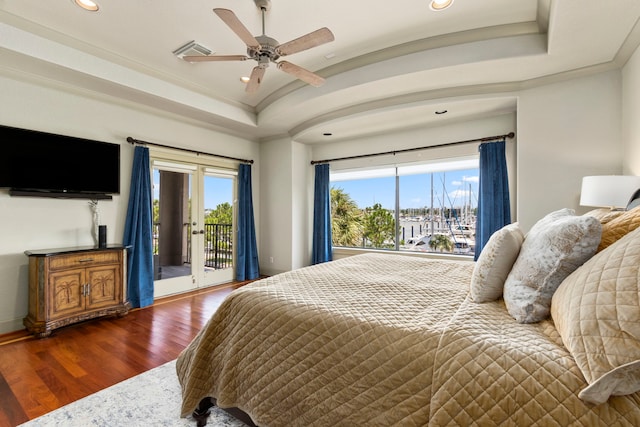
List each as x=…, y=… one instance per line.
x=247, y=254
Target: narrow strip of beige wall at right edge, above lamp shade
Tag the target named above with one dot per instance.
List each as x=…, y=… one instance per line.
x=631, y=115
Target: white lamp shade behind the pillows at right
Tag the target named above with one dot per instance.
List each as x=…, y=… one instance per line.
x=608, y=190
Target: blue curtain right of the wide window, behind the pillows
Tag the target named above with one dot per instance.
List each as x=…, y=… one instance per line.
x=494, y=209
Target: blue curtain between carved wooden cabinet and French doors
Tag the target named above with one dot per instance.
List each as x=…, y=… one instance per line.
x=138, y=232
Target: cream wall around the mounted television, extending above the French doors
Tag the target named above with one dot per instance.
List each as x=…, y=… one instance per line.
x=41, y=223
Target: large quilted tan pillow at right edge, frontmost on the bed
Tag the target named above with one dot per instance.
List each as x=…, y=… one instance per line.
x=597, y=313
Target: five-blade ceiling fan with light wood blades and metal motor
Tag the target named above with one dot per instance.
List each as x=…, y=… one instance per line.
x=264, y=49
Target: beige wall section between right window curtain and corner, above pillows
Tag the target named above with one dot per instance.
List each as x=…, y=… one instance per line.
x=566, y=131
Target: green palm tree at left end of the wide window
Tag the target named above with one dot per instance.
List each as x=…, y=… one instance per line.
x=346, y=219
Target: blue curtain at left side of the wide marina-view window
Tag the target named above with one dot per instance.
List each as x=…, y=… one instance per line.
x=321, y=250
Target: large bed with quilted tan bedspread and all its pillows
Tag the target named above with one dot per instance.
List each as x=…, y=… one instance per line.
x=385, y=339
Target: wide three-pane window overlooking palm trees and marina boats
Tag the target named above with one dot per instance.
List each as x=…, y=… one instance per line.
x=424, y=207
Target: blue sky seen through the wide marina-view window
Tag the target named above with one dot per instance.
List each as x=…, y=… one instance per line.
x=415, y=190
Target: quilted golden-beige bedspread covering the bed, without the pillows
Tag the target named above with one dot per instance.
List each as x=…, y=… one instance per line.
x=383, y=340
